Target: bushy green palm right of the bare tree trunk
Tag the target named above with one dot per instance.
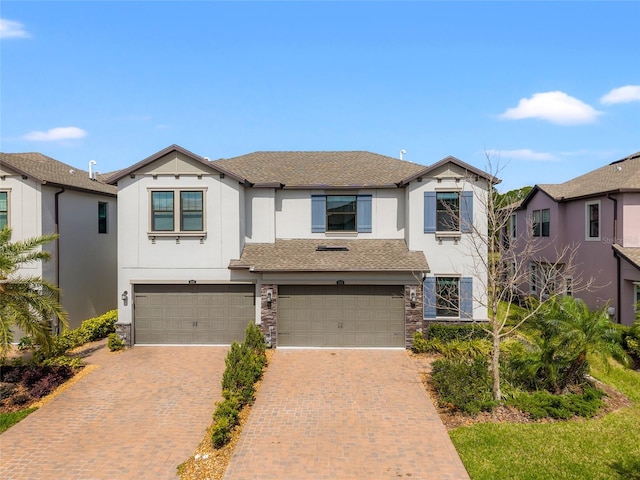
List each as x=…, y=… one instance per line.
x=567, y=334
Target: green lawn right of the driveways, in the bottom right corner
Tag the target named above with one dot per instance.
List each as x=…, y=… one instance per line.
x=602, y=448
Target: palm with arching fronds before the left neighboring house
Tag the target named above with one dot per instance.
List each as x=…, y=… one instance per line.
x=27, y=302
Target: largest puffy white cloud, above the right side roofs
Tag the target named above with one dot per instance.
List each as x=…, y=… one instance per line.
x=555, y=107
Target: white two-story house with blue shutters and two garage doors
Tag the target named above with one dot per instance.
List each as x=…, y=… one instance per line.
x=318, y=248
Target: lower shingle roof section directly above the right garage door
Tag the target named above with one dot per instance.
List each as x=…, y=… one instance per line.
x=303, y=256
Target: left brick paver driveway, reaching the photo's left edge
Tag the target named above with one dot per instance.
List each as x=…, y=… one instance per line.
x=136, y=417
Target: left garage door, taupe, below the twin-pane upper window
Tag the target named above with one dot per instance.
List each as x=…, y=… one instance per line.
x=192, y=314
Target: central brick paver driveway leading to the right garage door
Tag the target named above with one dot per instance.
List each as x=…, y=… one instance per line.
x=343, y=414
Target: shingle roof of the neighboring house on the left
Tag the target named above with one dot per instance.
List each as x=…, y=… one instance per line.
x=47, y=170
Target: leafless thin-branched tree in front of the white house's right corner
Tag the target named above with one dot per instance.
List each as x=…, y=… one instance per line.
x=522, y=269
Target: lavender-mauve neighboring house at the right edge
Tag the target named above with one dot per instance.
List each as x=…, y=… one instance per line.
x=599, y=213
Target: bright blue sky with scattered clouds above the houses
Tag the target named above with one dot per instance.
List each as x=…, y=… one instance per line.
x=549, y=90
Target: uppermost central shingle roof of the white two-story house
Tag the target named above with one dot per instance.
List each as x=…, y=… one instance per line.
x=320, y=169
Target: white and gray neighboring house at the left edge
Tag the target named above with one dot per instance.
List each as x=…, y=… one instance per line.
x=40, y=195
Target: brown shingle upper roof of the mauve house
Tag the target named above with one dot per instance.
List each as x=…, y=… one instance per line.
x=622, y=175
